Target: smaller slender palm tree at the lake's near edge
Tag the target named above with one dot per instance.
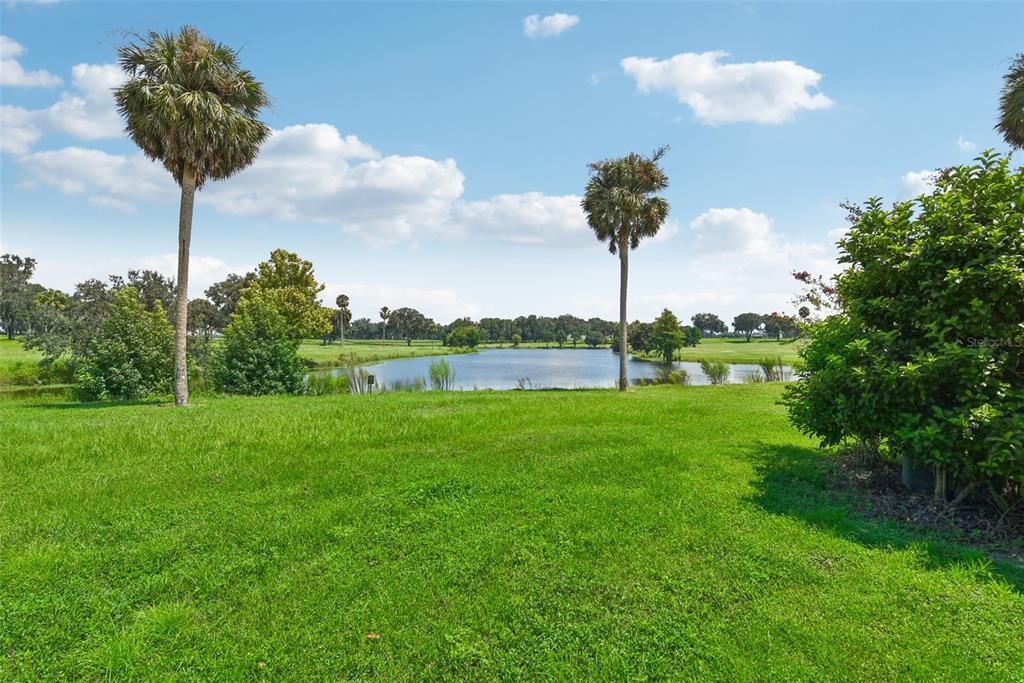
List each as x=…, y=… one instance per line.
x=622, y=209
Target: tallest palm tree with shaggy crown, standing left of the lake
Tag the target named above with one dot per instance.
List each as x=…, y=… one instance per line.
x=189, y=105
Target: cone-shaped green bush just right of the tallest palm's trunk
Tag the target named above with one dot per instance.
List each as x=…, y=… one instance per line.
x=260, y=352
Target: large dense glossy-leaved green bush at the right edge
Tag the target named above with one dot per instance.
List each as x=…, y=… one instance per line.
x=928, y=357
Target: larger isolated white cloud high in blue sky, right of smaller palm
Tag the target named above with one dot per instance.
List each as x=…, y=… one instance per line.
x=757, y=93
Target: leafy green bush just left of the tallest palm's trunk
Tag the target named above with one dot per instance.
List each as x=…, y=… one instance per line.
x=133, y=357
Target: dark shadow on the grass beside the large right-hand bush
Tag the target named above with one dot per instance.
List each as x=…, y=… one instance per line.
x=795, y=482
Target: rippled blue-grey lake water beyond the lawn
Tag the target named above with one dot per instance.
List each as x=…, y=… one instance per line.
x=543, y=369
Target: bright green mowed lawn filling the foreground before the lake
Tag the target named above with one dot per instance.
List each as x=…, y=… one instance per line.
x=668, y=533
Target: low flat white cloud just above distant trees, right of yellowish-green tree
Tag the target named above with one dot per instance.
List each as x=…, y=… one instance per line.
x=441, y=305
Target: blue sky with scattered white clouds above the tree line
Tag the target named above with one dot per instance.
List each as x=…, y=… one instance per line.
x=433, y=155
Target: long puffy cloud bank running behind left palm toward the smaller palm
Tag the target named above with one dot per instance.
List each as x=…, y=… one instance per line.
x=315, y=175
